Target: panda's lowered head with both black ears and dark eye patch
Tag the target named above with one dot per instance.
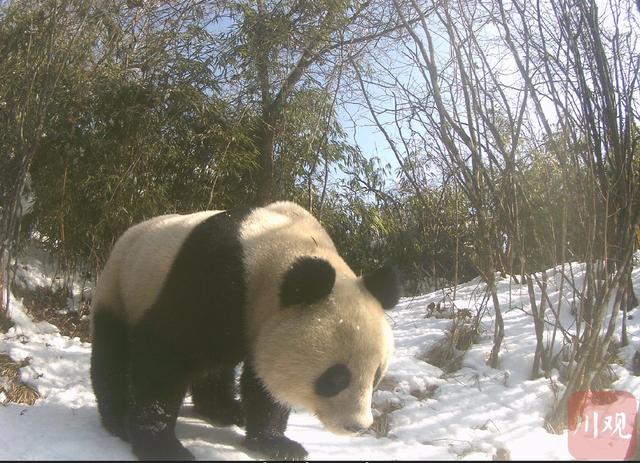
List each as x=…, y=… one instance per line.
x=328, y=344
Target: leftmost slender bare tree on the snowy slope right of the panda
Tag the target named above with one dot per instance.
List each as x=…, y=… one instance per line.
x=458, y=107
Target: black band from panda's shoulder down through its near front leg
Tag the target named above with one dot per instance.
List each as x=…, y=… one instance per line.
x=197, y=323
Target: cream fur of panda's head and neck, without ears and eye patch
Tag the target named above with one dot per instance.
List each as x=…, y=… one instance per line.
x=294, y=346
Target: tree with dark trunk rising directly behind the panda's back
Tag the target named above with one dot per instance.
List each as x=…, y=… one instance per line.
x=285, y=45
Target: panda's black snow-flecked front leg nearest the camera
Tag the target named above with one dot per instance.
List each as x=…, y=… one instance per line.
x=157, y=388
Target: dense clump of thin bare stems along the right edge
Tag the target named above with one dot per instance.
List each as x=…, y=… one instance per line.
x=585, y=66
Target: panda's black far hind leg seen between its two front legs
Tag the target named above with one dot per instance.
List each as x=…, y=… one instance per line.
x=213, y=393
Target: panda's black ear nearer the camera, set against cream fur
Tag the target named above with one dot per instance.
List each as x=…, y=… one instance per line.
x=308, y=280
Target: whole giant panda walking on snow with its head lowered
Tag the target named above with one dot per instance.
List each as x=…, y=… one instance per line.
x=183, y=299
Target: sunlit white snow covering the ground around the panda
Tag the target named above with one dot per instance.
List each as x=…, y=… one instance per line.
x=475, y=412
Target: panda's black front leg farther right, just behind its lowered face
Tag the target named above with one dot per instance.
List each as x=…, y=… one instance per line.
x=266, y=420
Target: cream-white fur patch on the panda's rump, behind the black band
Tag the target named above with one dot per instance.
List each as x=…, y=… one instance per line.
x=140, y=262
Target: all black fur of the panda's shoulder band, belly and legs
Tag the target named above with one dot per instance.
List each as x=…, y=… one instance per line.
x=193, y=334
